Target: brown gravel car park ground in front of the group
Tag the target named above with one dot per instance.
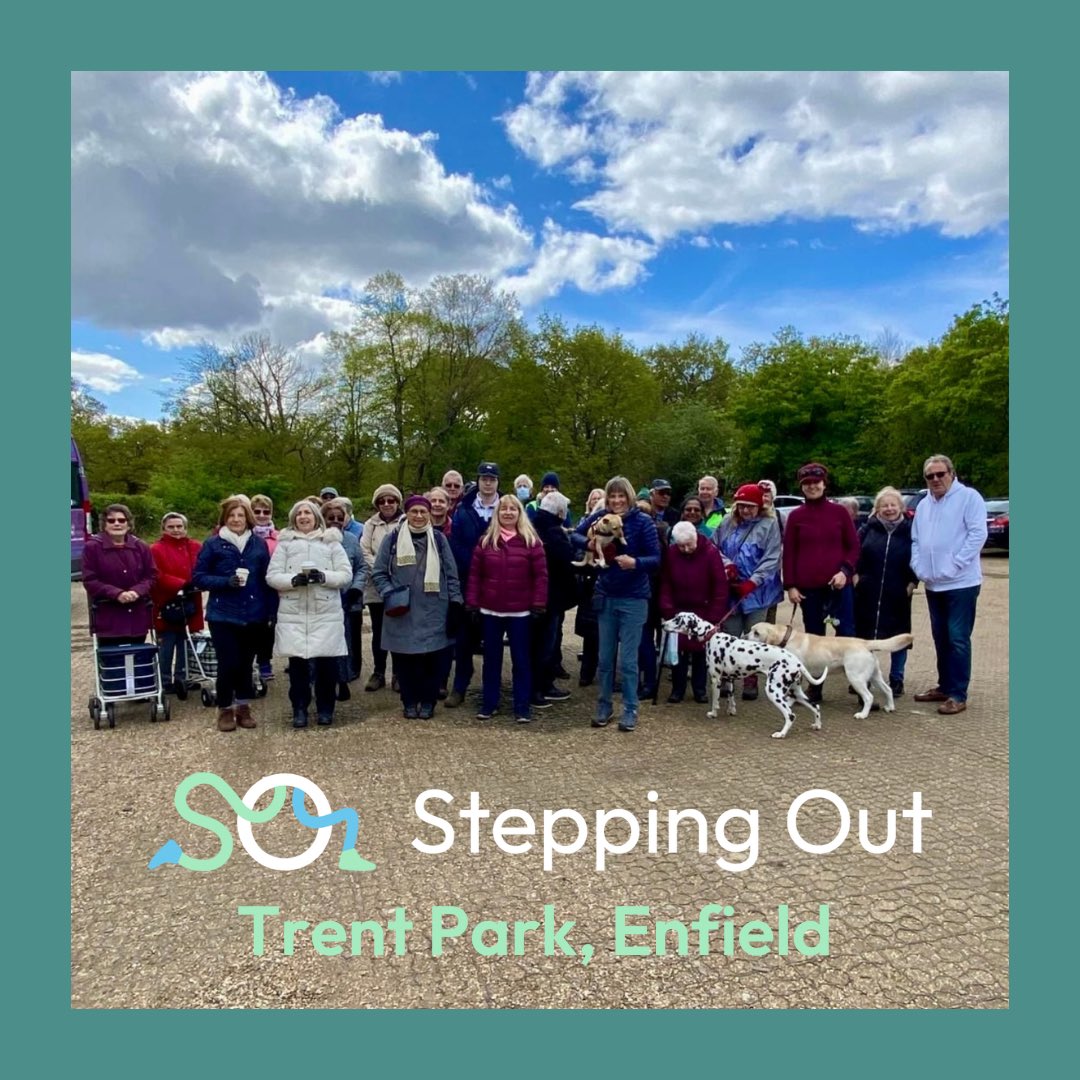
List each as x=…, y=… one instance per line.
x=907, y=930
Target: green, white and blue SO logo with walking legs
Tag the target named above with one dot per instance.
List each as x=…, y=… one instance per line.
x=247, y=816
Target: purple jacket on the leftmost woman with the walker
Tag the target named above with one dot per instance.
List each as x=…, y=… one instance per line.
x=110, y=570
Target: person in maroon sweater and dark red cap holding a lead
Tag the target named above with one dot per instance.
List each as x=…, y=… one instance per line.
x=821, y=551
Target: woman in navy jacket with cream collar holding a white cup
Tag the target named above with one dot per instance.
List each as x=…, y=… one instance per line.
x=233, y=568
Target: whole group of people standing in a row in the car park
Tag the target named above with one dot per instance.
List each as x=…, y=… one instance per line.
x=464, y=570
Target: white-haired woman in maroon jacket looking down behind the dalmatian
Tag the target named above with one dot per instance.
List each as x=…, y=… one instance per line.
x=692, y=579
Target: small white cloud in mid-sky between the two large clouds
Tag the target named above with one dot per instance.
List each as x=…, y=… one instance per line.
x=593, y=264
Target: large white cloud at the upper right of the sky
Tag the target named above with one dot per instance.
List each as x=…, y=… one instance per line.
x=681, y=152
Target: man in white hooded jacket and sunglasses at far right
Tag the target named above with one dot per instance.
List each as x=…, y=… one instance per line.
x=948, y=537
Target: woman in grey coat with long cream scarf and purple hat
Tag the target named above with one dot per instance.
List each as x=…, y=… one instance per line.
x=416, y=558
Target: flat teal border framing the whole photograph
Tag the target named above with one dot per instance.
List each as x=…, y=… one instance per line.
x=47, y=46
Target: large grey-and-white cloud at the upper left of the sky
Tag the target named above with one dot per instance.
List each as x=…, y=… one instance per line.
x=198, y=199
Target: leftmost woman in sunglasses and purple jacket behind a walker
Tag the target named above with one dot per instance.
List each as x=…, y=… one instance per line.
x=118, y=575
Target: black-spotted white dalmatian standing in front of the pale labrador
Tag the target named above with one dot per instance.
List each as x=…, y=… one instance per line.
x=727, y=657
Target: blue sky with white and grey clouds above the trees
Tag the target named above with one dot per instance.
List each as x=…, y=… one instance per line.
x=207, y=206
